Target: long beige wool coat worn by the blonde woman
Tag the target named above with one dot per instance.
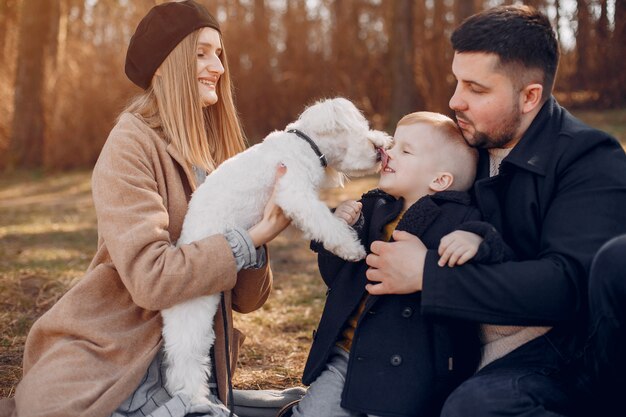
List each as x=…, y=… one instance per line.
x=89, y=352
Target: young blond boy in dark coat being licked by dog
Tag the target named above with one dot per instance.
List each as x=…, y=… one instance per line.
x=377, y=355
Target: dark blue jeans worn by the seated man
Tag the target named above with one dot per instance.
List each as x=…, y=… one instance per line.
x=534, y=381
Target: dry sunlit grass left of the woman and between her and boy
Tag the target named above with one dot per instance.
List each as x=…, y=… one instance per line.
x=48, y=236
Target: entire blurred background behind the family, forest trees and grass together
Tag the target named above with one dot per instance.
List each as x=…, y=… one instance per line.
x=62, y=85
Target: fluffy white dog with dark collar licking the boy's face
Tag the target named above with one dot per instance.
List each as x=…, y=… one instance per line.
x=235, y=194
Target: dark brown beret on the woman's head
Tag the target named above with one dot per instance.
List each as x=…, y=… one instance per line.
x=157, y=35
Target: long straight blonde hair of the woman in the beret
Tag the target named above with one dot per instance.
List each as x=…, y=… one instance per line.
x=205, y=137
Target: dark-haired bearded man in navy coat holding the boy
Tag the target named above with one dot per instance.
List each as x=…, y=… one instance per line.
x=553, y=187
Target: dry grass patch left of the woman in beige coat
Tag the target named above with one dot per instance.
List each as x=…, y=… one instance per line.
x=47, y=238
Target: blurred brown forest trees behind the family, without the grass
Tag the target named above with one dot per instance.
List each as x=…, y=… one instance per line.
x=62, y=82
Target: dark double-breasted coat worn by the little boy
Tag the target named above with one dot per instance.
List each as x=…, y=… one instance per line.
x=400, y=364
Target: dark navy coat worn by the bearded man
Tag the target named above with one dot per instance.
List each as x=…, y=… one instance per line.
x=560, y=195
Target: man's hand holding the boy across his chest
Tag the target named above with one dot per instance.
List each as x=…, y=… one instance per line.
x=396, y=267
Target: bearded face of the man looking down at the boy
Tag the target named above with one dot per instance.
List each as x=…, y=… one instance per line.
x=486, y=102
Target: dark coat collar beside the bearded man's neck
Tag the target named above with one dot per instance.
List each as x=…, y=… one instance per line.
x=533, y=151
